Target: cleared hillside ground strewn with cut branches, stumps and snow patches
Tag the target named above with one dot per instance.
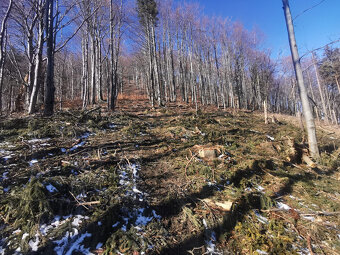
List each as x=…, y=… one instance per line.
x=166, y=181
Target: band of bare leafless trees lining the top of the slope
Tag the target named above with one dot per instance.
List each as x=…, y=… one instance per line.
x=80, y=53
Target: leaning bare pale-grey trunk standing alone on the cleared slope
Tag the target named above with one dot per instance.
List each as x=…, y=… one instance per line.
x=307, y=111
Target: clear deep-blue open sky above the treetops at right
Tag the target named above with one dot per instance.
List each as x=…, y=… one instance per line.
x=313, y=29
